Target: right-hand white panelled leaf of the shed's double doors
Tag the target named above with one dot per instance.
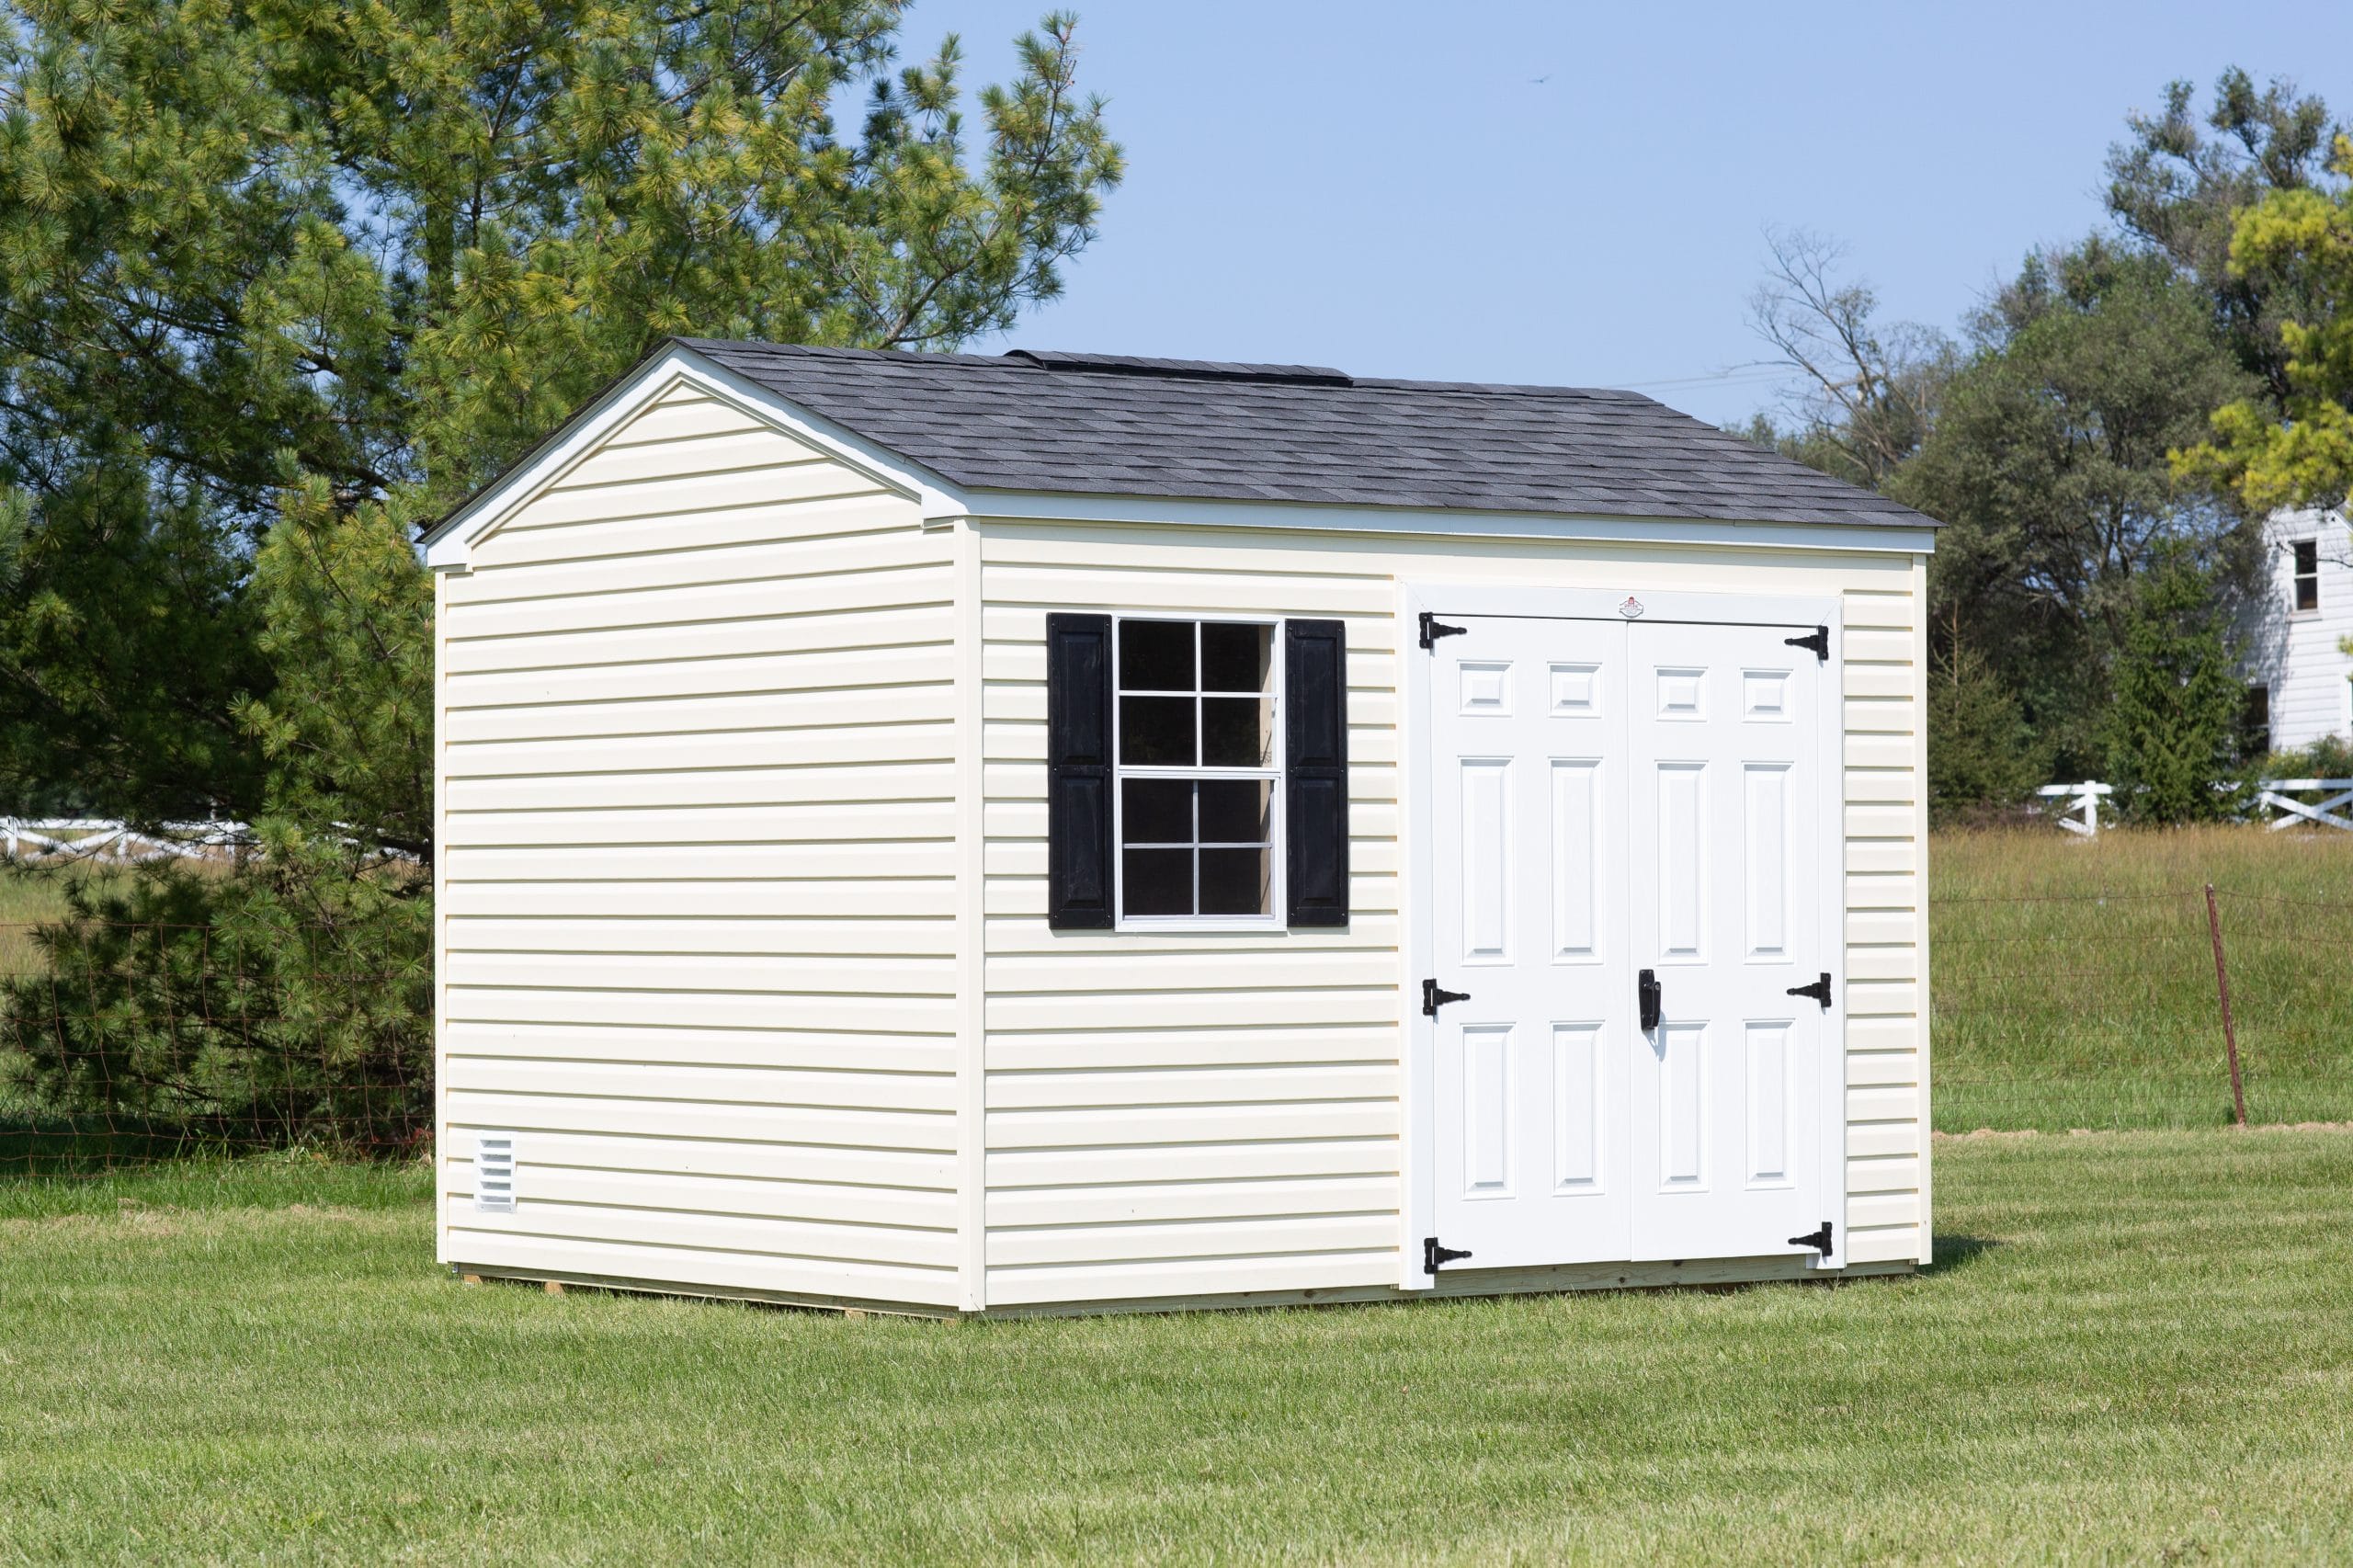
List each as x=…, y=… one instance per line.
x=1726, y=915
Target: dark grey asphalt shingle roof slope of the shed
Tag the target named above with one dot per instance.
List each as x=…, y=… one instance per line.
x=1201, y=430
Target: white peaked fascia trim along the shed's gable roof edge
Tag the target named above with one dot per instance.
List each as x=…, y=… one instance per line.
x=451, y=543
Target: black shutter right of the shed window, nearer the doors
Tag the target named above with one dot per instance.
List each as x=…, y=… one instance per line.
x=1317, y=762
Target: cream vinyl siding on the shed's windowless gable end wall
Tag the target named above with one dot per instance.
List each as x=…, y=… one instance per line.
x=698, y=870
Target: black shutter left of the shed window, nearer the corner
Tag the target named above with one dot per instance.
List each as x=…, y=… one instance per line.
x=1079, y=771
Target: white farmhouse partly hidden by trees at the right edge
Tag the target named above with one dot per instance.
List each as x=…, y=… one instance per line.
x=2300, y=677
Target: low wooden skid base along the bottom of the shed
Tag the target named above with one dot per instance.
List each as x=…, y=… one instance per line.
x=1707, y=1275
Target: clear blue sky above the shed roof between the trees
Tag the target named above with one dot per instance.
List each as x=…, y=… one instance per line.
x=1354, y=185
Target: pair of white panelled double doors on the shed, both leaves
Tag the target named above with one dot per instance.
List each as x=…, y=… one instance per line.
x=1618, y=799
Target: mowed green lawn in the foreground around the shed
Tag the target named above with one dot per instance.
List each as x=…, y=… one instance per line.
x=2135, y=1348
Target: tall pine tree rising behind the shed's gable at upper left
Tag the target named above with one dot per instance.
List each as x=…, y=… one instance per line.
x=368, y=253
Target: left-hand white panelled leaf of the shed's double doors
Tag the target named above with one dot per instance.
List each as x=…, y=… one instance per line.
x=1533, y=1068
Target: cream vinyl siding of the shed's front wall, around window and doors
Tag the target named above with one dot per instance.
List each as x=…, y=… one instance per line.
x=1215, y=1115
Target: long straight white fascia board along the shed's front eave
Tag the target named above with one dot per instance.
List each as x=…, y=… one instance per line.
x=1060, y=507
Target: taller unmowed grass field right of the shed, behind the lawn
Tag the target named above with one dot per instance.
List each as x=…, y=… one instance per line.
x=2074, y=983
